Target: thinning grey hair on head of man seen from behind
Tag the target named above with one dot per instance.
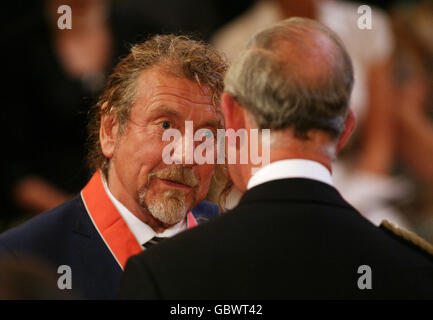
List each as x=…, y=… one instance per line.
x=294, y=74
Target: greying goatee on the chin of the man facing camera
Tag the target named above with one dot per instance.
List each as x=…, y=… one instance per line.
x=168, y=207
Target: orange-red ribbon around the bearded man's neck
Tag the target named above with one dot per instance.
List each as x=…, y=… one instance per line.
x=109, y=223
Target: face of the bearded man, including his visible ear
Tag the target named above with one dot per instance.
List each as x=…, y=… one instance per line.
x=137, y=175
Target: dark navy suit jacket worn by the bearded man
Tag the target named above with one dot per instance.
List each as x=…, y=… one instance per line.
x=66, y=236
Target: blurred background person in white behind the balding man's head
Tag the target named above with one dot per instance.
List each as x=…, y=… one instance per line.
x=363, y=173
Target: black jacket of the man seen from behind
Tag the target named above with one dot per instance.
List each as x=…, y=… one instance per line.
x=287, y=239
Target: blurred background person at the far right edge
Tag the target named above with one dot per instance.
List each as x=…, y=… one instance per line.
x=413, y=74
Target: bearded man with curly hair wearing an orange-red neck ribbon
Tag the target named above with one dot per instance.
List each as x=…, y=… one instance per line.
x=134, y=199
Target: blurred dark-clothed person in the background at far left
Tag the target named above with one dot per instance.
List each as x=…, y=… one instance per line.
x=55, y=75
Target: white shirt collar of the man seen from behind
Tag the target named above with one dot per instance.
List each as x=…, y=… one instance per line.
x=291, y=168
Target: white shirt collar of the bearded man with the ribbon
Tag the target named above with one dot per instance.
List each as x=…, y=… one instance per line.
x=141, y=231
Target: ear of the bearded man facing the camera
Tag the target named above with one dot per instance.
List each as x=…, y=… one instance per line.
x=108, y=133
